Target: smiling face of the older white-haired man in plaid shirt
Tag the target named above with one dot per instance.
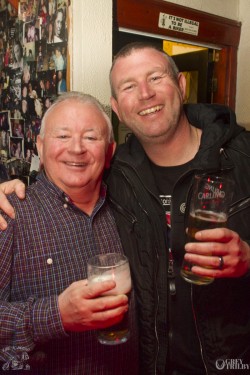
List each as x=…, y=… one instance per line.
x=74, y=149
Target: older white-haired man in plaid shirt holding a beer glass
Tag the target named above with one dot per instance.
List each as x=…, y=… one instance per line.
x=48, y=313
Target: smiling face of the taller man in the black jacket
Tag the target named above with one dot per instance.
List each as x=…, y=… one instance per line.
x=148, y=98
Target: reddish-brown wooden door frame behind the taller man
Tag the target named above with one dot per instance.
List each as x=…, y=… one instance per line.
x=224, y=34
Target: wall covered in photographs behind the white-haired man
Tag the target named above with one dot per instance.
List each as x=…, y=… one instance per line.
x=33, y=63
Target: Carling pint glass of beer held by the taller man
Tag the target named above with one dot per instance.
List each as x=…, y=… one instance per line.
x=208, y=210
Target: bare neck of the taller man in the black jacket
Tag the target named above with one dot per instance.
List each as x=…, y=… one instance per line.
x=178, y=149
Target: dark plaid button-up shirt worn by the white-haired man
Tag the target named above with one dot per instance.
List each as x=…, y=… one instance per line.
x=42, y=252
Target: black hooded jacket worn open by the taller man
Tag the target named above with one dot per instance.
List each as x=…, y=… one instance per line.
x=221, y=309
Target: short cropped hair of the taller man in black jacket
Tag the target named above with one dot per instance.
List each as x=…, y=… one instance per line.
x=129, y=48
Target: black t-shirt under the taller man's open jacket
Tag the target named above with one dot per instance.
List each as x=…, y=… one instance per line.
x=184, y=347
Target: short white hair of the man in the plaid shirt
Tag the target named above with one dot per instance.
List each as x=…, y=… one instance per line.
x=82, y=98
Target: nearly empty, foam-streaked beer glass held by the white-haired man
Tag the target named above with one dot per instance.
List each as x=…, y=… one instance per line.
x=112, y=266
